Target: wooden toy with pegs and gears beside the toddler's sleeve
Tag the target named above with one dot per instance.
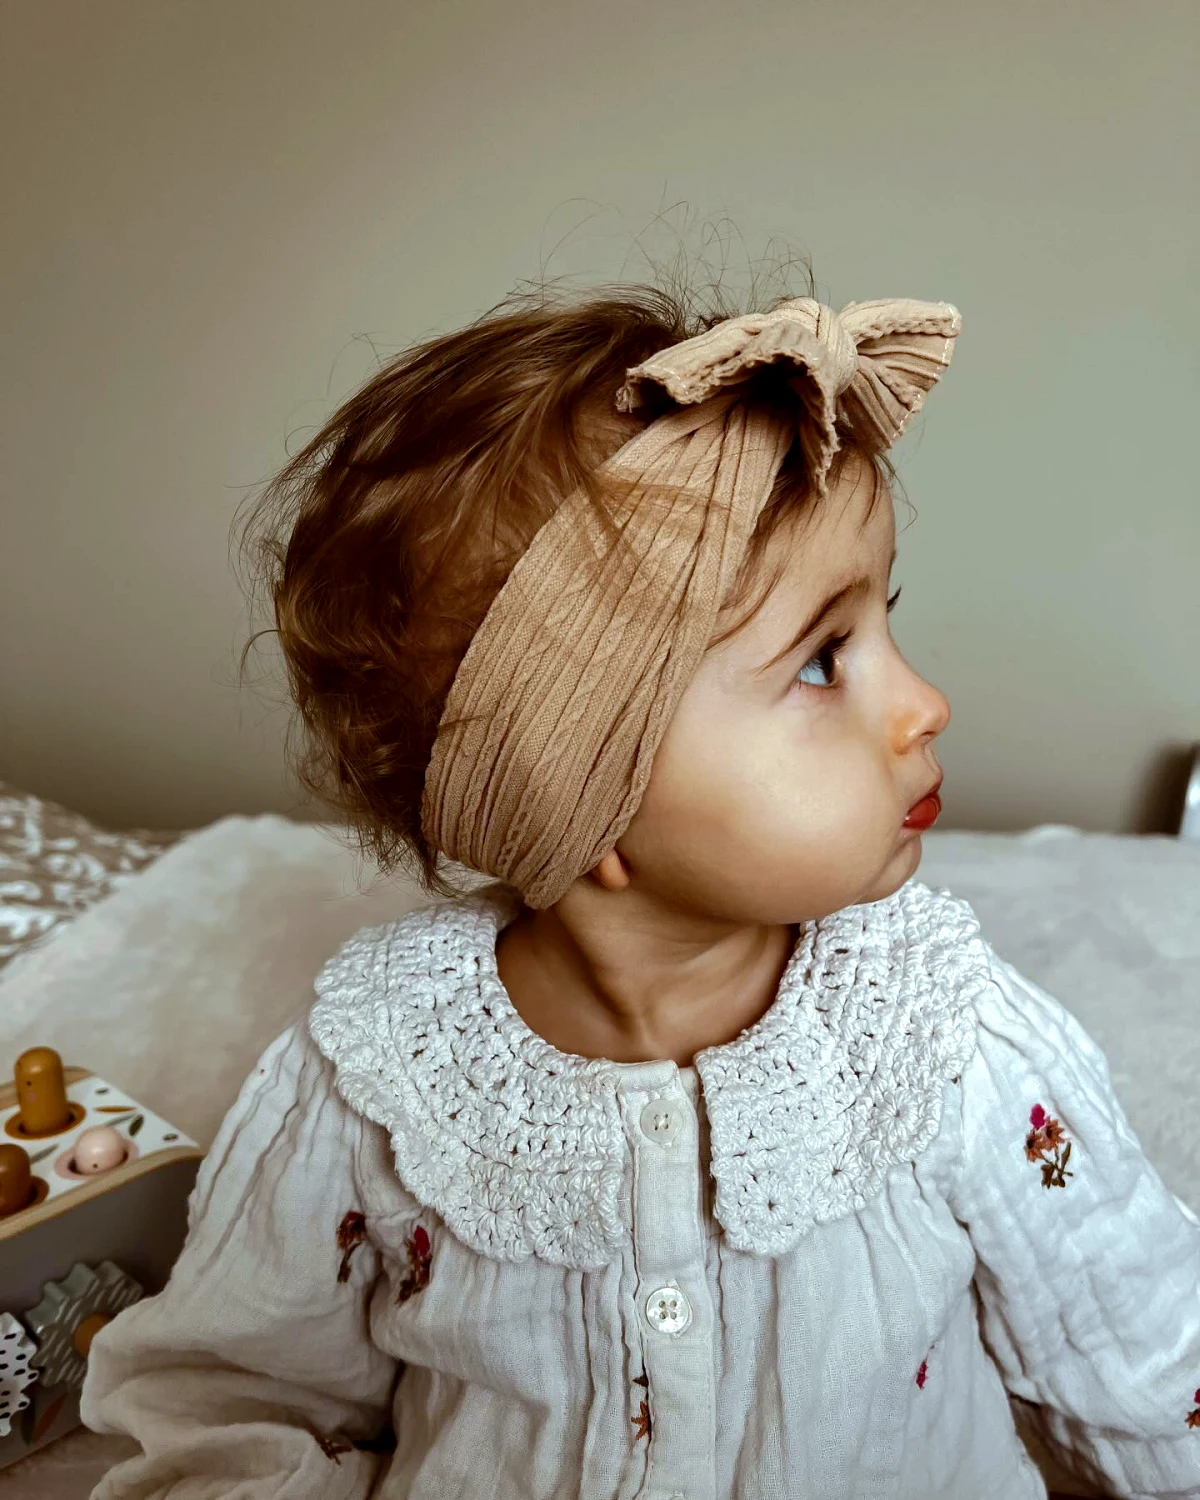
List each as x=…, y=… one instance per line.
x=94, y=1213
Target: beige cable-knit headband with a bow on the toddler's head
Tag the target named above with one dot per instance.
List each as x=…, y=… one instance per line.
x=566, y=691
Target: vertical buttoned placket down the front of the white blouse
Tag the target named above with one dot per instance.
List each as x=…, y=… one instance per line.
x=674, y=1307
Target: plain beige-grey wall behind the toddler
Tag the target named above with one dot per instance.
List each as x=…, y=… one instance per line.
x=214, y=211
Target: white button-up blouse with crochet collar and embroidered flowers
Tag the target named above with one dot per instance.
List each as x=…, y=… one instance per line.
x=832, y=1259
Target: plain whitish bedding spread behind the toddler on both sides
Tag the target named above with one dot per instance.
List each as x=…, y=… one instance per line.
x=175, y=985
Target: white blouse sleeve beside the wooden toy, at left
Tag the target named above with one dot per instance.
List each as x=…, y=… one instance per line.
x=253, y=1373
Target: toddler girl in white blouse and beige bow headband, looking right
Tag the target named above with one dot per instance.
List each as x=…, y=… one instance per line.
x=700, y=1153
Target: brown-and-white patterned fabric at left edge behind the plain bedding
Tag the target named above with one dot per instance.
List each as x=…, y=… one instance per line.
x=55, y=865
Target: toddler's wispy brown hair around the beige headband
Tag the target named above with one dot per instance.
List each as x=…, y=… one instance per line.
x=385, y=541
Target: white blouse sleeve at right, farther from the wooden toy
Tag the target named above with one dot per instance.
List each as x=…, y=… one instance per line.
x=1088, y=1270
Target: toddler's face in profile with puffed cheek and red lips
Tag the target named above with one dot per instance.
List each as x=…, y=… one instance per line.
x=781, y=788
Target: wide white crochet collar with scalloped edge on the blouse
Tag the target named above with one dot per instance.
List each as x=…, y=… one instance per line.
x=521, y=1148
